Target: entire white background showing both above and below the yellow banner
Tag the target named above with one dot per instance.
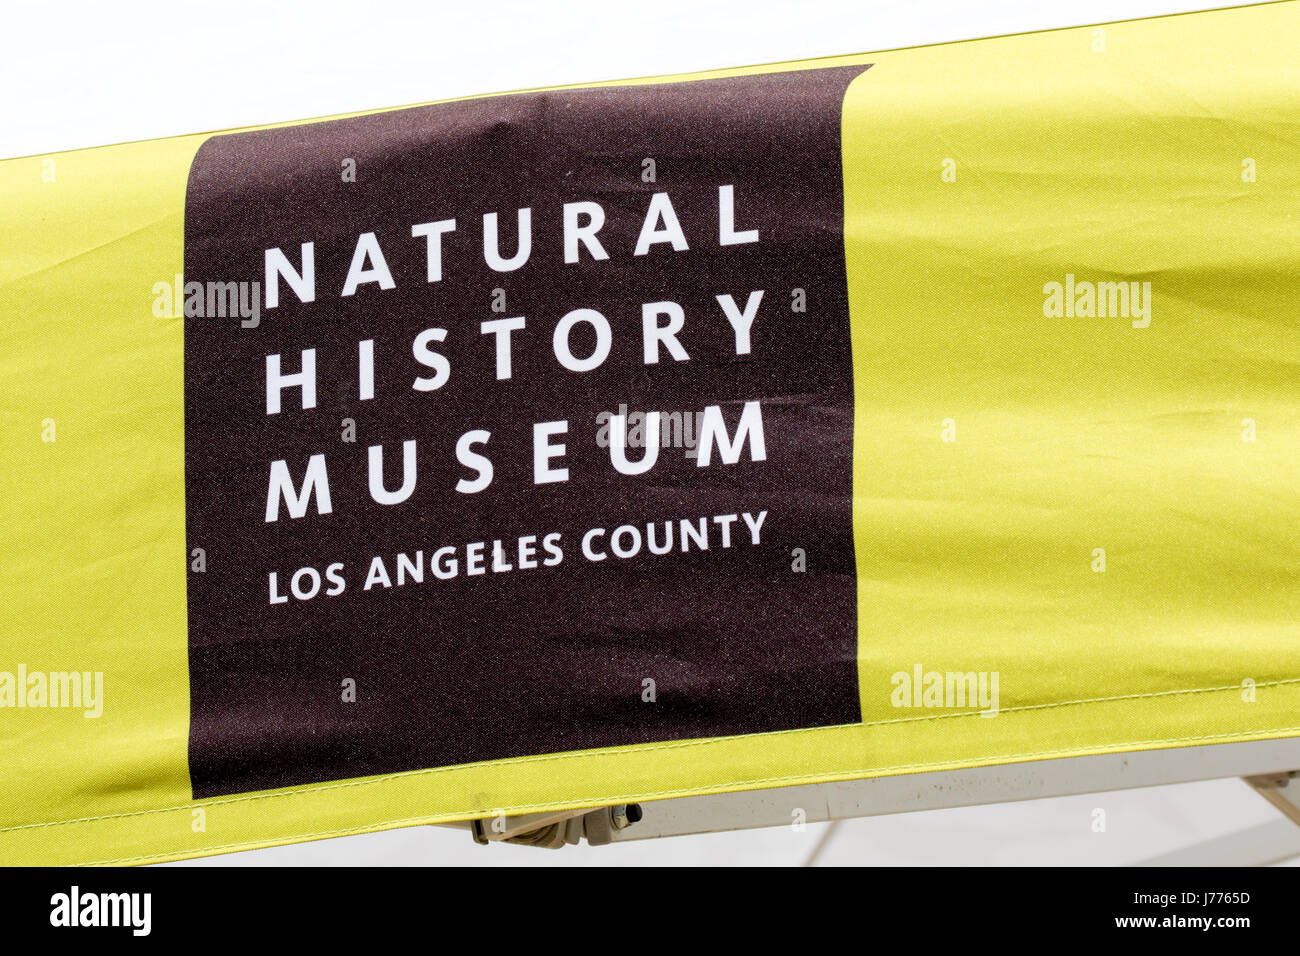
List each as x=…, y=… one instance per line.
x=77, y=75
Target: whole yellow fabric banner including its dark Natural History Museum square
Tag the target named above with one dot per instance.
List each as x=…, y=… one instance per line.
x=973, y=371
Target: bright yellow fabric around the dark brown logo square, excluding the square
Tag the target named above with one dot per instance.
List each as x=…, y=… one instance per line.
x=1104, y=157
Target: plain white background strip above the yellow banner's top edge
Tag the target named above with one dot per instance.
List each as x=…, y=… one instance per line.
x=77, y=75
